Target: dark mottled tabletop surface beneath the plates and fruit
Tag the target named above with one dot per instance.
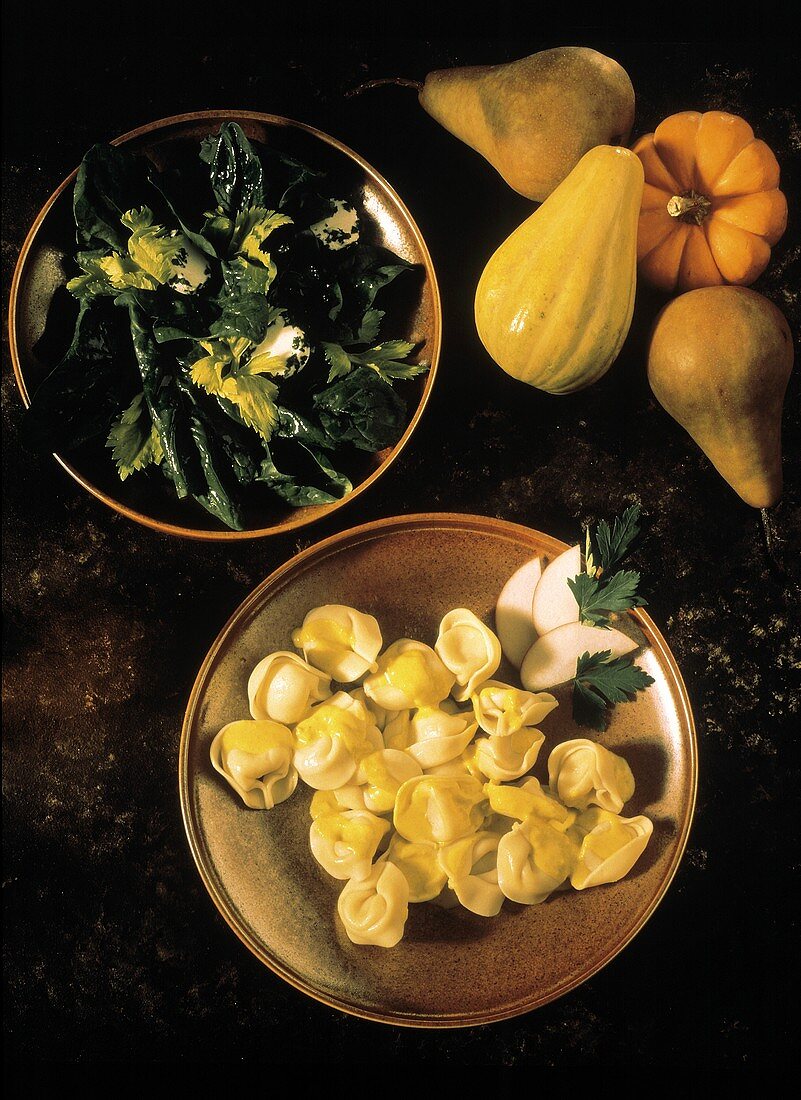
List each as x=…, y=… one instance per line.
x=114, y=951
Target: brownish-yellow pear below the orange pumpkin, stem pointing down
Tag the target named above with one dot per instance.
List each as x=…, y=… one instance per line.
x=719, y=362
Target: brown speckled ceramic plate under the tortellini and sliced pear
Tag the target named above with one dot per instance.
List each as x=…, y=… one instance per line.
x=452, y=969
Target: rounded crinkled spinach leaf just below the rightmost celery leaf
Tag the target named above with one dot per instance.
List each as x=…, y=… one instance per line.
x=361, y=410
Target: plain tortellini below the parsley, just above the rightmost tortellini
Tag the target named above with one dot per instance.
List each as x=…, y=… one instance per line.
x=585, y=774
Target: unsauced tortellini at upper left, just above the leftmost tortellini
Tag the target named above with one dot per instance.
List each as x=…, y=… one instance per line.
x=283, y=687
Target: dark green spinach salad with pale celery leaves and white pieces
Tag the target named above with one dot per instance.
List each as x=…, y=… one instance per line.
x=228, y=328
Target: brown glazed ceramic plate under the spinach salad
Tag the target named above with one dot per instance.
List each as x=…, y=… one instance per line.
x=413, y=313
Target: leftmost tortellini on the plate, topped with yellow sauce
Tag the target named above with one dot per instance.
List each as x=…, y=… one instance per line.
x=257, y=761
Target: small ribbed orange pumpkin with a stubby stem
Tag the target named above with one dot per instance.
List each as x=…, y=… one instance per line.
x=711, y=208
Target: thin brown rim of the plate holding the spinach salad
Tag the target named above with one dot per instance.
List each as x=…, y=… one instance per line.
x=298, y=520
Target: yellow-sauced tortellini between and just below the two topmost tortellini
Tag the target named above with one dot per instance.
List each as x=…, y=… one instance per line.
x=410, y=675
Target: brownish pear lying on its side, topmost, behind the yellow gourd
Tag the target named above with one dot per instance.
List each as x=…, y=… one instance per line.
x=534, y=119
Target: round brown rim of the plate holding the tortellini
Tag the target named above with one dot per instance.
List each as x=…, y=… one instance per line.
x=304, y=560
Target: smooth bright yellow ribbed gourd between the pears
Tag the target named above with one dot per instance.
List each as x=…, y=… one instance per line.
x=555, y=303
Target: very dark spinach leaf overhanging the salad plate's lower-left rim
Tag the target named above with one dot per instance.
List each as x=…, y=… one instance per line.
x=83, y=394
